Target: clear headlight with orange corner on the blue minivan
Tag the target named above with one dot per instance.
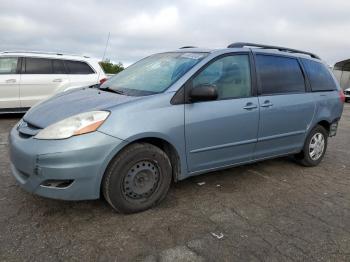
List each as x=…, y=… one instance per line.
x=74, y=125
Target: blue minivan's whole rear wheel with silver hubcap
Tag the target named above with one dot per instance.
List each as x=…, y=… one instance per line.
x=314, y=148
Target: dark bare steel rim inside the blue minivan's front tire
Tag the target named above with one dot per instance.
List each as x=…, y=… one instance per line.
x=141, y=180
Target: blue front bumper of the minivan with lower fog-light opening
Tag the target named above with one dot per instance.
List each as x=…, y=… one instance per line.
x=79, y=162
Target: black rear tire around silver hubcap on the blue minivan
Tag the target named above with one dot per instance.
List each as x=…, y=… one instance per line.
x=304, y=157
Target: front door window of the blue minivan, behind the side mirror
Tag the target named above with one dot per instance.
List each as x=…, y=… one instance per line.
x=230, y=75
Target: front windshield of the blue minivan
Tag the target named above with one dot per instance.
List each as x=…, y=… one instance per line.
x=153, y=74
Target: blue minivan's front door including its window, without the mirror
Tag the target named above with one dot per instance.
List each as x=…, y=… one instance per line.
x=222, y=132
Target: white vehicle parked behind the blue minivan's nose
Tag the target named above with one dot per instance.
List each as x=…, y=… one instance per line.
x=26, y=78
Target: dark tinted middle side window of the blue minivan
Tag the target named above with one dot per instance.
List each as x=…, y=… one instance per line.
x=279, y=75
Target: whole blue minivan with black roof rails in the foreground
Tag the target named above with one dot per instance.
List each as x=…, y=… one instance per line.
x=174, y=115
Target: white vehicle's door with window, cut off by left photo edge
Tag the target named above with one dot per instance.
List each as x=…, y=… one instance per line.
x=9, y=83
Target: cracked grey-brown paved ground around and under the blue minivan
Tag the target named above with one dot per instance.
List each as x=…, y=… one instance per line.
x=270, y=211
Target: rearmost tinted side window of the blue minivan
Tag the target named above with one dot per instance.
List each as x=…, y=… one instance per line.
x=319, y=76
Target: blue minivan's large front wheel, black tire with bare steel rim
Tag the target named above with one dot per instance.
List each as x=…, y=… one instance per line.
x=137, y=179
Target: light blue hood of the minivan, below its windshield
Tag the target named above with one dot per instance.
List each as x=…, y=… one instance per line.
x=71, y=103
